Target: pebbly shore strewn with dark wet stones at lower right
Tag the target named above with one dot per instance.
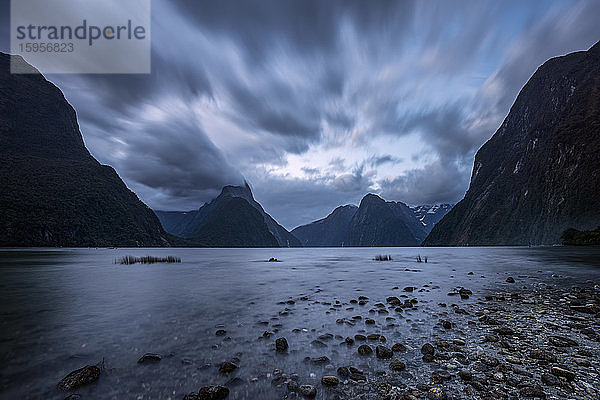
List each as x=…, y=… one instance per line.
x=518, y=341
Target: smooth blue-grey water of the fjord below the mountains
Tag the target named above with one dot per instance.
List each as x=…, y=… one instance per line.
x=65, y=308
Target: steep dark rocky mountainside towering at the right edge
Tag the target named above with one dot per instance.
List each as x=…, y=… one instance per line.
x=539, y=174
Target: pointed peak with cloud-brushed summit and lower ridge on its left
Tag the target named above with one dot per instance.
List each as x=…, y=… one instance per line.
x=232, y=219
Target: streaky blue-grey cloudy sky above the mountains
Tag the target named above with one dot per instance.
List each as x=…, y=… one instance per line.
x=317, y=103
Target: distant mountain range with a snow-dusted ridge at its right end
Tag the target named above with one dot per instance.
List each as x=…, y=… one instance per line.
x=374, y=223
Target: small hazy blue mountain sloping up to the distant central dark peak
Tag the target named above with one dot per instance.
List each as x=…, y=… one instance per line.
x=330, y=231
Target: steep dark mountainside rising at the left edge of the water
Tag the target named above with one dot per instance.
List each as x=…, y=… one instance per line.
x=52, y=191
